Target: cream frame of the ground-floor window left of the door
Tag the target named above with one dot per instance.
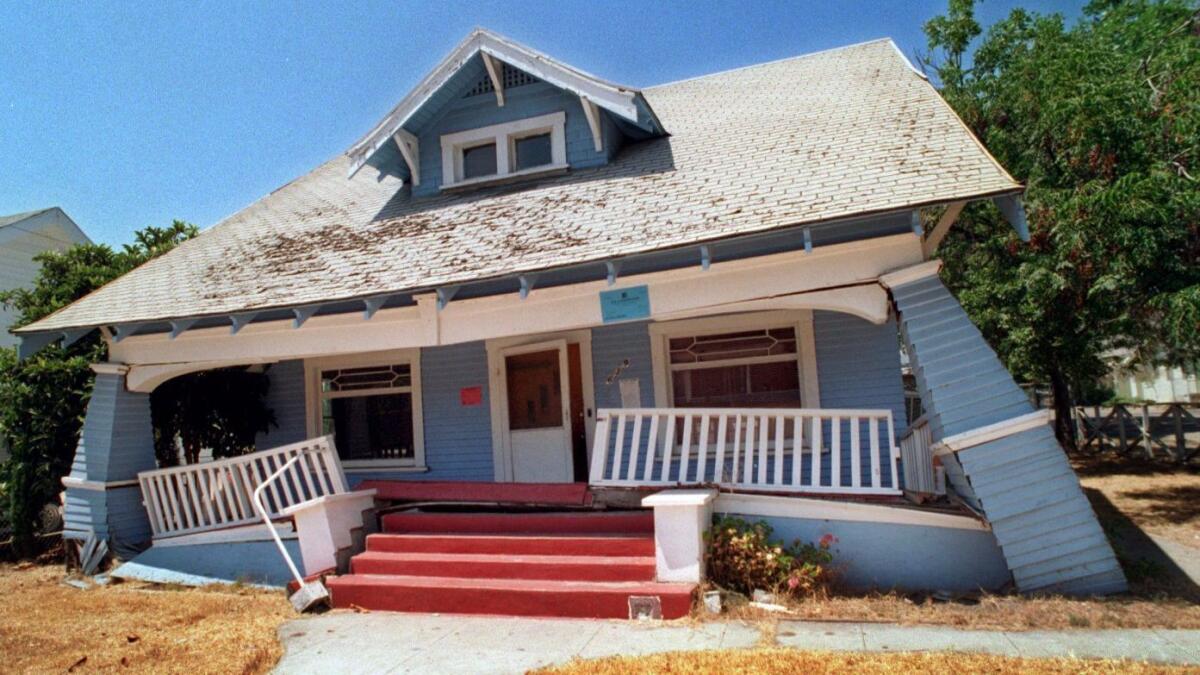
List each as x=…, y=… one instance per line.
x=315, y=398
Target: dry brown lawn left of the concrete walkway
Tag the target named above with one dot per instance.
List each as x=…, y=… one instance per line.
x=49, y=628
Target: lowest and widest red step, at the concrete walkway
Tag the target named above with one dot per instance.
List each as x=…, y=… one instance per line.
x=507, y=598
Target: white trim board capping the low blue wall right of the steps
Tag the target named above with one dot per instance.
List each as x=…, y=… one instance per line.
x=853, y=512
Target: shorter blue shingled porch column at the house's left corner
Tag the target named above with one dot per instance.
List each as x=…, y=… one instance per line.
x=116, y=444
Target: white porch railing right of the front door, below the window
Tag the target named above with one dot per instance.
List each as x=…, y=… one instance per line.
x=769, y=450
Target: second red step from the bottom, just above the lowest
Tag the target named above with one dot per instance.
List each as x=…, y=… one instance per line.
x=503, y=566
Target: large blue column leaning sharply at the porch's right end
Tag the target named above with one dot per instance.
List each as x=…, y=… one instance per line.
x=1001, y=456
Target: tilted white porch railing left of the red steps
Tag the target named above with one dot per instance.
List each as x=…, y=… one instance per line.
x=220, y=494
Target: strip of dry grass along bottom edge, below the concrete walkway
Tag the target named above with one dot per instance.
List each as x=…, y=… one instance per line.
x=783, y=661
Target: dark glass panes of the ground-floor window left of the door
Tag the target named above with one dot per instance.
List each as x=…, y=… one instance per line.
x=373, y=410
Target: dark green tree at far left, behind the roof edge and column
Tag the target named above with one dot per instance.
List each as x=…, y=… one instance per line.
x=43, y=399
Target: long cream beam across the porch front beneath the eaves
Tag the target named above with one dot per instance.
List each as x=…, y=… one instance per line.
x=794, y=278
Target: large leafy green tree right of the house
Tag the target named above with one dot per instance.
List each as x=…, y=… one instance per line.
x=1102, y=123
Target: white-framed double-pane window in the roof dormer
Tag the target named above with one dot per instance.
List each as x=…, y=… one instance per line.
x=506, y=151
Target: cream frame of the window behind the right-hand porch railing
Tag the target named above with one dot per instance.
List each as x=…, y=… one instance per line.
x=806, y=357
